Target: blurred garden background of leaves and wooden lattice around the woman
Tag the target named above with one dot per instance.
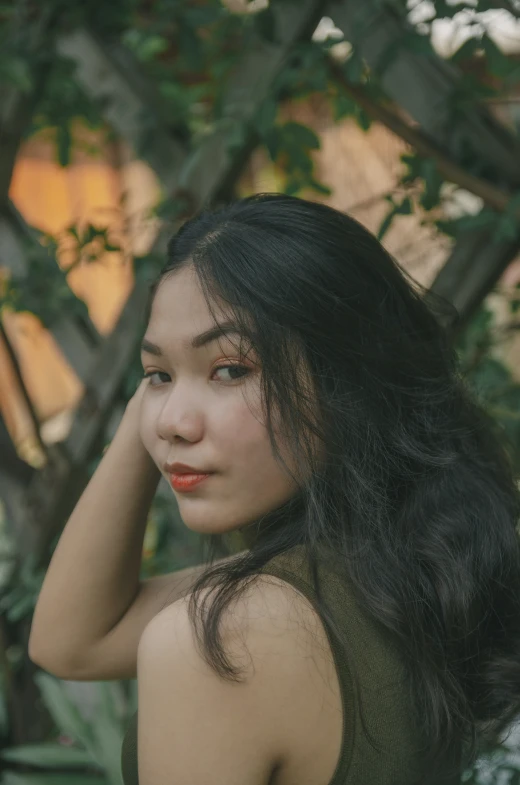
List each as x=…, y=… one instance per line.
x=120, y=120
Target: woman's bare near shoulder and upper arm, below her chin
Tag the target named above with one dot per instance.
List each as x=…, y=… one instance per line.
x=276, y=716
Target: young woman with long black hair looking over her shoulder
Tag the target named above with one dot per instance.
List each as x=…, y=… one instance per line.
x=370, y=630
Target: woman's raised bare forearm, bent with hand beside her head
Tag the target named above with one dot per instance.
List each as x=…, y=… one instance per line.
x=93, y=576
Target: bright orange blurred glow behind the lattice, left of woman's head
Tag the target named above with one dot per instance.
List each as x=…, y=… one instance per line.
x=52, y=198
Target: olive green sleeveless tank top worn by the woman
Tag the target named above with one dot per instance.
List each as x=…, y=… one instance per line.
x=381, y=682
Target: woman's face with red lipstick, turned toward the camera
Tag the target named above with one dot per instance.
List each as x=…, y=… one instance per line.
x=201, y=407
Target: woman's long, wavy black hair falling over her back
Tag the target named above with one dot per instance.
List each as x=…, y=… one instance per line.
x=414, y=492
